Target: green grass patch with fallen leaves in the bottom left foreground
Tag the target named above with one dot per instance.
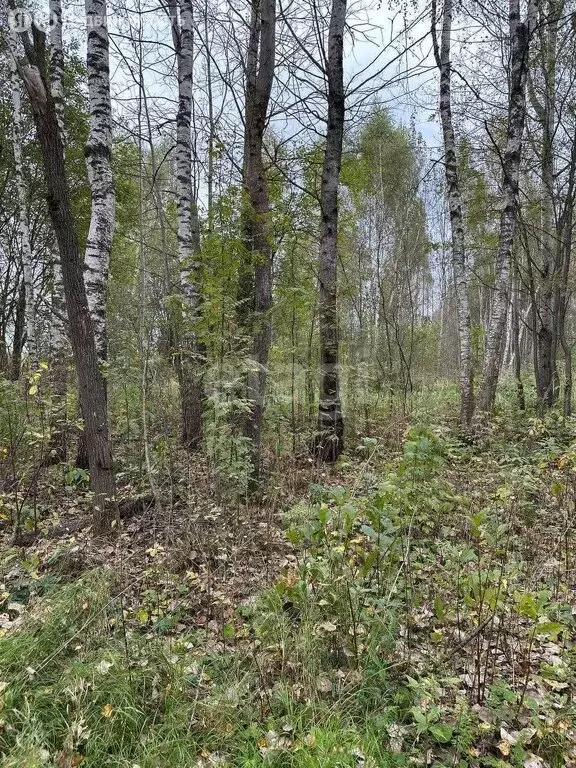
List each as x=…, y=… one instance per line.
x=76, y=693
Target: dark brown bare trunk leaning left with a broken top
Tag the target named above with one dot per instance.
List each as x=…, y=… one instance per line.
x=91, y=384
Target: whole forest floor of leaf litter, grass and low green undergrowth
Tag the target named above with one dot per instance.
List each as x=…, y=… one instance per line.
x=414, y=605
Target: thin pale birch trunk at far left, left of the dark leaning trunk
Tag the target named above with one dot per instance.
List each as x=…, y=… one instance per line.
x=27, y=263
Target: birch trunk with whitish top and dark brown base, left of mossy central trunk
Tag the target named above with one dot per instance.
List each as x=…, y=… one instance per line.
x=188, y=359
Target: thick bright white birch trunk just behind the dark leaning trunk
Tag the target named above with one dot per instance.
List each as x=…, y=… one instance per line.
x=98, y=156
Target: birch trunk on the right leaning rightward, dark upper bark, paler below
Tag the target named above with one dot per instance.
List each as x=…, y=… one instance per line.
x=520, y=33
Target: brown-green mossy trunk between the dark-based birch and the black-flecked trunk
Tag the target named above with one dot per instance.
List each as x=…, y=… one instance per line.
x=257, y=272
